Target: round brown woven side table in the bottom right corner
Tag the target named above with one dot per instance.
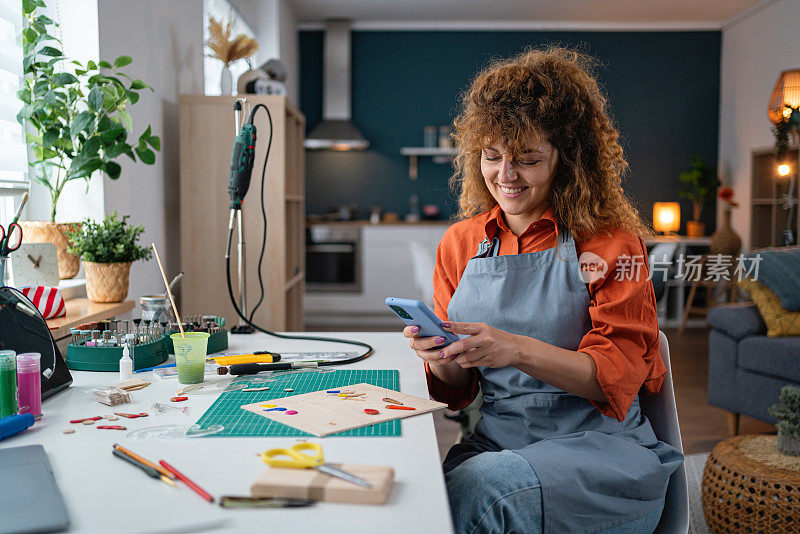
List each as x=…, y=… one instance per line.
x=749, y=486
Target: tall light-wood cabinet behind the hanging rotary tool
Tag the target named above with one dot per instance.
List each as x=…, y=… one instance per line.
x=206, y=142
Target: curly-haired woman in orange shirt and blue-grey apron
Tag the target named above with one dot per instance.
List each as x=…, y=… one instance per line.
x=559, y=342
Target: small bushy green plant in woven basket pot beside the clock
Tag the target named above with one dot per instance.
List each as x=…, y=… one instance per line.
x=107, y=250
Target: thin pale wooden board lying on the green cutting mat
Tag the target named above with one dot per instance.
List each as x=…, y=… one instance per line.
x=321, y=414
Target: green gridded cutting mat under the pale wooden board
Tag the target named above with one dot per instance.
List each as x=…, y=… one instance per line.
x=226, y=410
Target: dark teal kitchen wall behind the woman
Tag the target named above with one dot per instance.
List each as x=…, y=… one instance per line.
x=663, y=89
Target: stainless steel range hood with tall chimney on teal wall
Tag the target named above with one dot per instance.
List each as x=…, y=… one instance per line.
x=336, y=131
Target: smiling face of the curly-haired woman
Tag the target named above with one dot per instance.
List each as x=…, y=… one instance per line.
x=520, y=184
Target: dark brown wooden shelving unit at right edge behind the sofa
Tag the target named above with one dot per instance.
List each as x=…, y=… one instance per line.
x=768, y=218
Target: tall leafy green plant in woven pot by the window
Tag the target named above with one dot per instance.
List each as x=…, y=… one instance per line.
x=77, y=122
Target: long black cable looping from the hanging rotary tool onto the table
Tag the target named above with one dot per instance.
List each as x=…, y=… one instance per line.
x=249, y=321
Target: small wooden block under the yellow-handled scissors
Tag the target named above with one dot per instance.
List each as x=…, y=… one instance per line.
x=310, y=484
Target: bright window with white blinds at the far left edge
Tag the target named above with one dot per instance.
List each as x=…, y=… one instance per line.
x=13, y=150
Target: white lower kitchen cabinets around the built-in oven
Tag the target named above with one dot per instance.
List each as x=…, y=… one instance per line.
x=386, y=270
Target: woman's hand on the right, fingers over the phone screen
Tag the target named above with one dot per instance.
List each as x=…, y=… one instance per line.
x=486, y=347
